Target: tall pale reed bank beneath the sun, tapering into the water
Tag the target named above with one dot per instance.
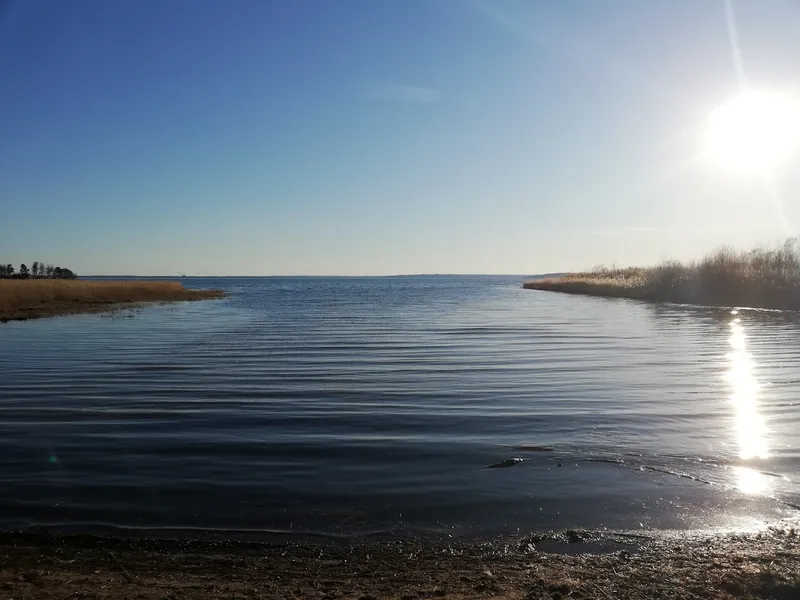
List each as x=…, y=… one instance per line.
x=760, y=278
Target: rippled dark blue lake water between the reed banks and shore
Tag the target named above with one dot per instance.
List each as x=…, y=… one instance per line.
x=373, y=405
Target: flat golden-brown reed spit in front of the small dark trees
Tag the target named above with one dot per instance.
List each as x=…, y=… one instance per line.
x=32, y=298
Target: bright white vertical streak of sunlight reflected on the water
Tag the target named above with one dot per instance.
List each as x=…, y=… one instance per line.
x=750, y=429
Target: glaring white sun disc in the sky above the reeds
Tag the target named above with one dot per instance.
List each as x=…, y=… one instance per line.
x=755, y=131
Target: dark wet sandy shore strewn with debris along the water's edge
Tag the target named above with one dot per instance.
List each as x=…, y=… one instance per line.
x=762, y=565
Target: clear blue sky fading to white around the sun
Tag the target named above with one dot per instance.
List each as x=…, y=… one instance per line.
x=374, y=137
